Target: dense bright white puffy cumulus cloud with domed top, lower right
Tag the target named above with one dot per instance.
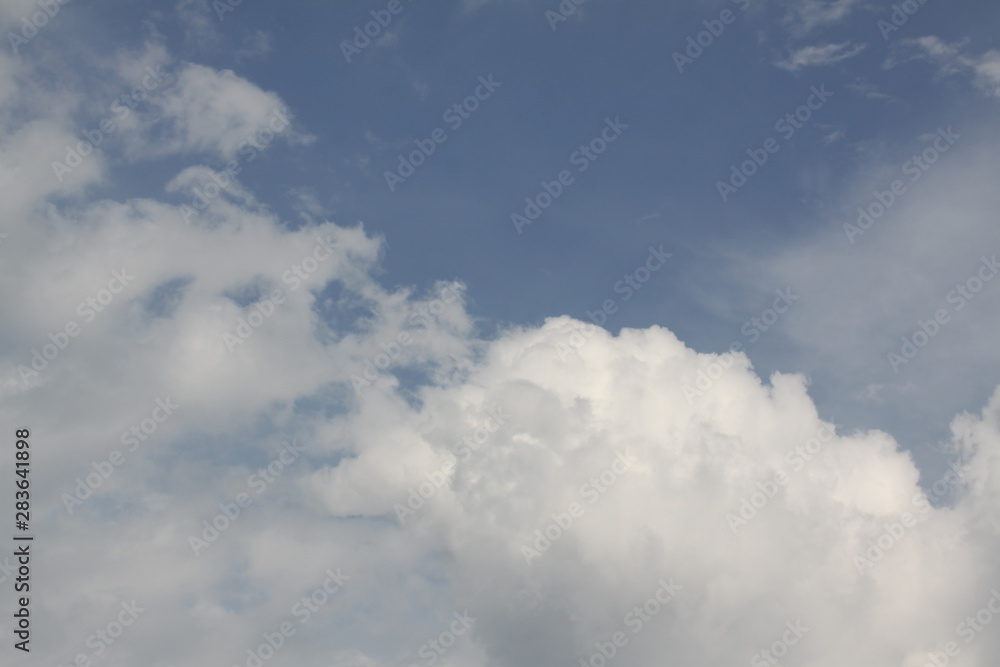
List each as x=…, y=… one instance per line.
x=806, y=555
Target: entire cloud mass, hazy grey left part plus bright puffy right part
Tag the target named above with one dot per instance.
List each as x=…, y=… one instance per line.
x=349, y=403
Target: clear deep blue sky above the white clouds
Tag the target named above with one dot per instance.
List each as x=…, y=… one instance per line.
x=657, y=185
